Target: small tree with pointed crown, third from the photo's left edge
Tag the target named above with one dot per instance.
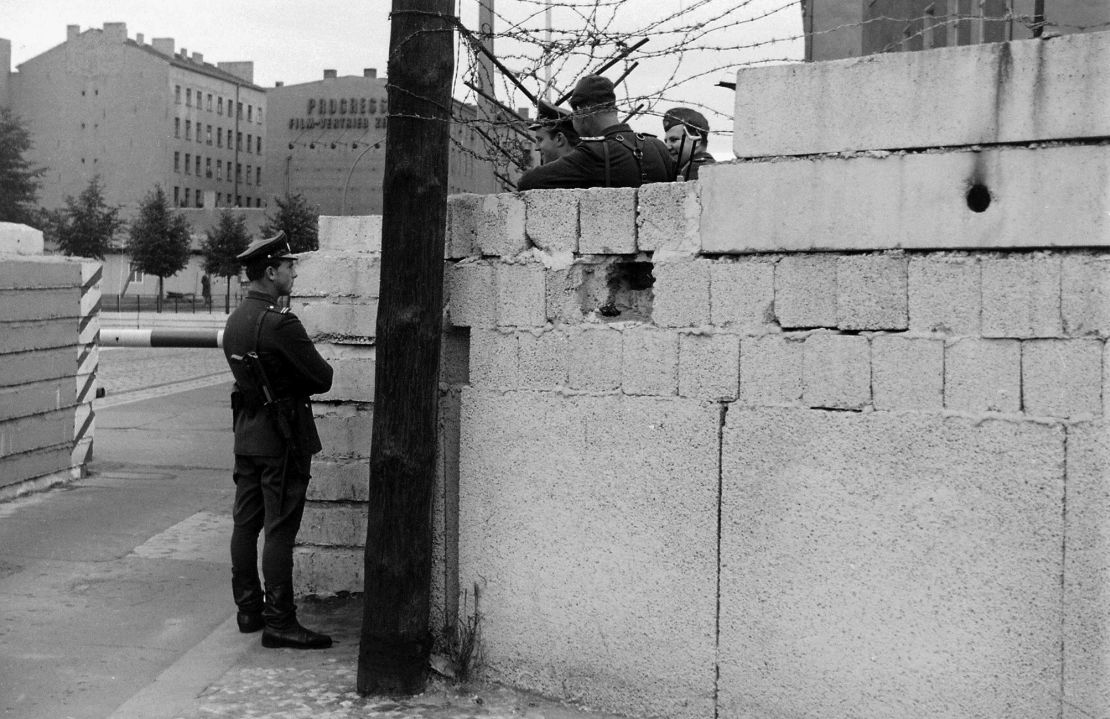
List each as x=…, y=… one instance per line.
x=159, y=244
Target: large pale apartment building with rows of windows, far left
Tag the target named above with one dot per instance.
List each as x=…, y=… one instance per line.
x=139, y=116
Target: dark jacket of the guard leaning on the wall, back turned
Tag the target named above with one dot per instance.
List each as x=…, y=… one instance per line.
x=619, y=159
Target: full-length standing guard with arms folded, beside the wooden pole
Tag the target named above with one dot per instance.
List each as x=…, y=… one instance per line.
x=277, y=369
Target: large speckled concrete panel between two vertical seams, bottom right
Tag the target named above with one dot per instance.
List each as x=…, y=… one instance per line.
x=870, y=559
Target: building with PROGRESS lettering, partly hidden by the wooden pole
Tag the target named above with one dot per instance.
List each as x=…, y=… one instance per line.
x=328, y=144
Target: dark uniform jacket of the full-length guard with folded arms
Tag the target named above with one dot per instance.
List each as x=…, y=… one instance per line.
x=294, y=368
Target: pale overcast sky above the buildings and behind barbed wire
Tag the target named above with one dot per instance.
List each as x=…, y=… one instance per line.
x=296, y=43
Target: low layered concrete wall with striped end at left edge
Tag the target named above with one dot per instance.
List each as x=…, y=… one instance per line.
x=48, y=310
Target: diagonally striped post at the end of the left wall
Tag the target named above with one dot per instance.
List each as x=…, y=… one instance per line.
x=88, y=360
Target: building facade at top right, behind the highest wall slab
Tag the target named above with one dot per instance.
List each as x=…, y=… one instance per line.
x=837, y=29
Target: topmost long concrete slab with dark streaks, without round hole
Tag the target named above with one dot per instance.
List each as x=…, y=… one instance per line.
x=887, y=102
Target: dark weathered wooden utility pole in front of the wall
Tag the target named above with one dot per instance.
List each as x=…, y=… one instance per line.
x=396, y=636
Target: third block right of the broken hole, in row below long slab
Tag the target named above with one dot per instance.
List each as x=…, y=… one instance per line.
x=806, y=291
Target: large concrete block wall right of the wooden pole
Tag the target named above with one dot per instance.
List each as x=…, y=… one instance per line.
x=821, y=436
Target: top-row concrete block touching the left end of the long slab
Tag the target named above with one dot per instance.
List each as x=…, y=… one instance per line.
x=669, y=218
